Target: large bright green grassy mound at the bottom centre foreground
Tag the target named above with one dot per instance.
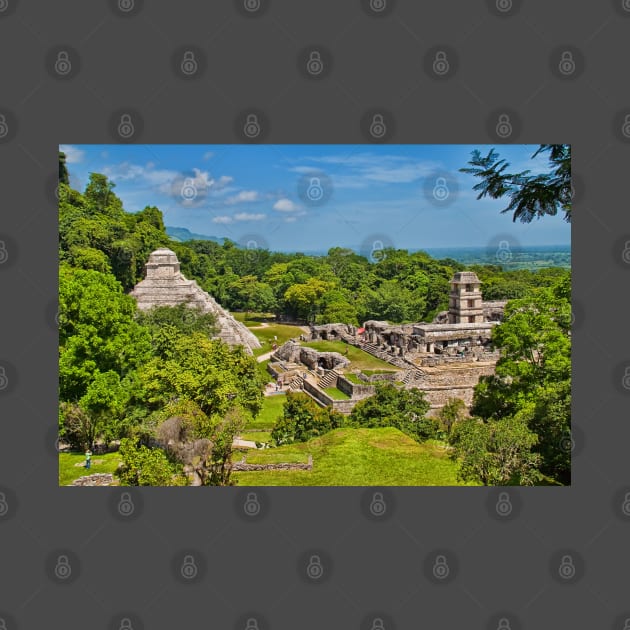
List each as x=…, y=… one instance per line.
x=356, y=457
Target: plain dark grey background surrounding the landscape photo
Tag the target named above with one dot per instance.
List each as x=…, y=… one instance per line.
x=128, y=566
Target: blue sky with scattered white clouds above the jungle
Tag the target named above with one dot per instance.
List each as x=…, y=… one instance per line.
x=257, y=193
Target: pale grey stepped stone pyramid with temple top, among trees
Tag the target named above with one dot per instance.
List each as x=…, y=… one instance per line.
x=164, y=285
